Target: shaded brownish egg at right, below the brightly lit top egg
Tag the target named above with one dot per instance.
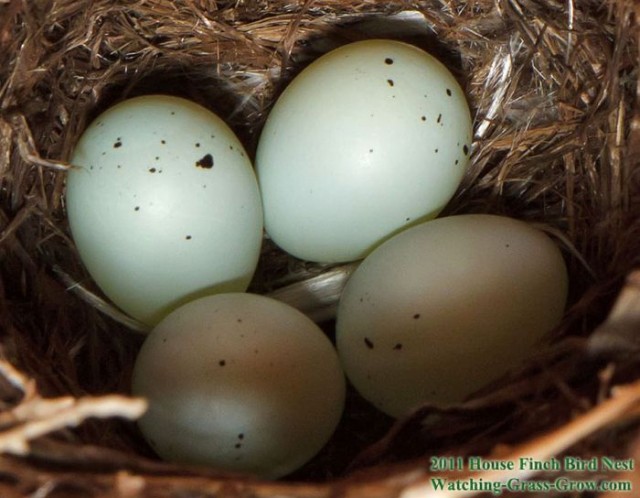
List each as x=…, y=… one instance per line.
x=444, y=308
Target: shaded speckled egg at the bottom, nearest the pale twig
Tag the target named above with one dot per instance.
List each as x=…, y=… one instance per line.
x=241, y=382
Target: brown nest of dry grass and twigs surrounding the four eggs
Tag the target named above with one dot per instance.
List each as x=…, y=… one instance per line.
x=553, y=91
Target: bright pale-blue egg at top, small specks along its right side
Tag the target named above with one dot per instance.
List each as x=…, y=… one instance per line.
x=367, y=140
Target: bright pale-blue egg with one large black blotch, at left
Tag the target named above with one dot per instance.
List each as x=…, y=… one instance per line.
x=163, y=205
